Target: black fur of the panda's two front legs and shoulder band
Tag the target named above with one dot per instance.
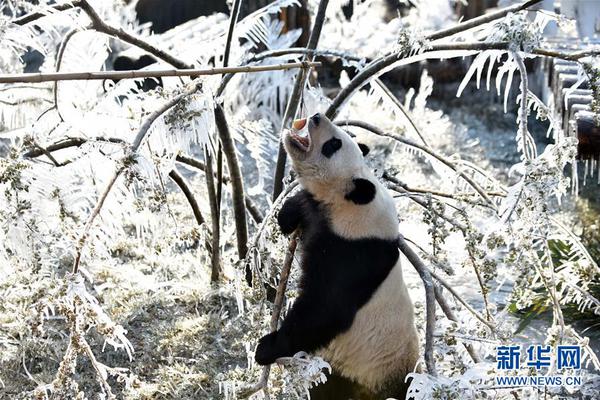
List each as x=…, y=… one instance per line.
x=339, y=276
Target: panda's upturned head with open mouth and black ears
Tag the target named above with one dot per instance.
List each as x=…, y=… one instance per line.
x=329, y=163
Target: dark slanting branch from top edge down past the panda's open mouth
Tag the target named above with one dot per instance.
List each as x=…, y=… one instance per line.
x=295, y=96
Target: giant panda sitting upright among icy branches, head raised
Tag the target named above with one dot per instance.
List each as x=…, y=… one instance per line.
x=353, y=308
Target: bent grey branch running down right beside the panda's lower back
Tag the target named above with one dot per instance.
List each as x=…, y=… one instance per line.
x=425, y=275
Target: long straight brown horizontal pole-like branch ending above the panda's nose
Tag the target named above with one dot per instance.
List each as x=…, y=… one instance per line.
x=38, y=77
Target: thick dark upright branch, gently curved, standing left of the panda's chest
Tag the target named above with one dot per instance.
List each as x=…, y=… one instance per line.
x=237, y=183
